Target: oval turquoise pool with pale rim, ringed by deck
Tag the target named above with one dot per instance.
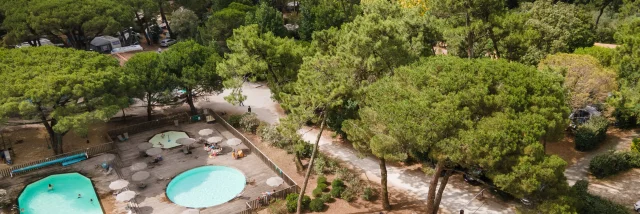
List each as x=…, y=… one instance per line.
x=205, y=186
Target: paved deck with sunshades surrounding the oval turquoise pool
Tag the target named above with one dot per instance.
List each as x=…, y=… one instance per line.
x=152, y=199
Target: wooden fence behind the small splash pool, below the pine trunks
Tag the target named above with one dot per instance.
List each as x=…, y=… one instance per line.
x=182, y=117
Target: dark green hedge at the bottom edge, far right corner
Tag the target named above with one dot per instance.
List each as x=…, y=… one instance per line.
x=587, y=203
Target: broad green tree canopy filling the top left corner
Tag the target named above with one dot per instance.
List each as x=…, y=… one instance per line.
x=79, y=21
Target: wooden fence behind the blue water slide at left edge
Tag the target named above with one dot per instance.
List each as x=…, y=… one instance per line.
x=91, y=151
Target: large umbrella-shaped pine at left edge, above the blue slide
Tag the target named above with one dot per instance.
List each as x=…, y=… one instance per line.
x=64, y=89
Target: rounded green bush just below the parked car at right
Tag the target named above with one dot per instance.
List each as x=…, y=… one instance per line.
x=590, y=134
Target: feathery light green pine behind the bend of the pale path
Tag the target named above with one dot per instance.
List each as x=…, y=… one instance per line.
x=260, y=55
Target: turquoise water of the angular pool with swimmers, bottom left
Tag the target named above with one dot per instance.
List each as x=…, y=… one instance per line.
x=63, y=199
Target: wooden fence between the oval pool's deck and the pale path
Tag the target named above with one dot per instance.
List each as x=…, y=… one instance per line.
x=263, y=201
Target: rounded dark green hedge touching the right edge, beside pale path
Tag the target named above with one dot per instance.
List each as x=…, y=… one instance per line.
x=611, y=163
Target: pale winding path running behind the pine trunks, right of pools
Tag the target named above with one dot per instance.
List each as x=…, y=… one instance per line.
x=416, y=183
